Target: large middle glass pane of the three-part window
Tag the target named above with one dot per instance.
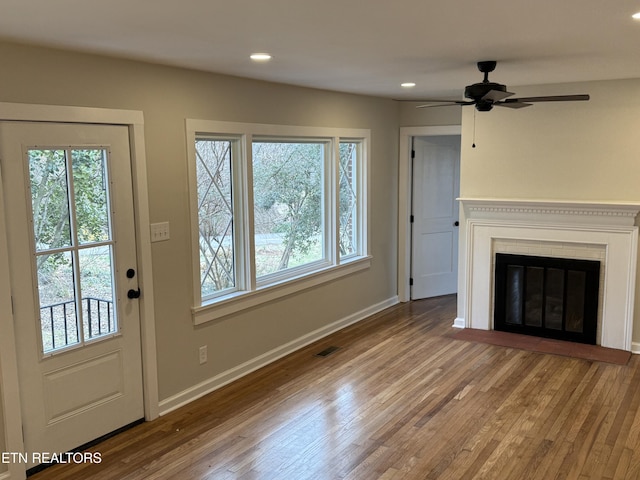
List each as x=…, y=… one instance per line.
x=288, y=204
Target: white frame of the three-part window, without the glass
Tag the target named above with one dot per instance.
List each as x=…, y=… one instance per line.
x=249, y=290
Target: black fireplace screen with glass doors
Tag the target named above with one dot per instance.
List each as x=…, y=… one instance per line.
x=547, y=297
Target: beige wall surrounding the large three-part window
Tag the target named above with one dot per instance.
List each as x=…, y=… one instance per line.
x=169, y=95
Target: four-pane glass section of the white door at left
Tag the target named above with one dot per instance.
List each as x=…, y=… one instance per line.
x=73, y=245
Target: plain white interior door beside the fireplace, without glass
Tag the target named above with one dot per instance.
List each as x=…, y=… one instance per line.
x=434, y=242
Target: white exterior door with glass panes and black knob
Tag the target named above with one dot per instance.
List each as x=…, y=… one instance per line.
x=71, y=241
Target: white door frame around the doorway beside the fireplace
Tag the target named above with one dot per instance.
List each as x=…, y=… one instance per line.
x=405, y=179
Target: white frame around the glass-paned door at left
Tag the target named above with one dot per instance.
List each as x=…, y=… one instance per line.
x=9, y=380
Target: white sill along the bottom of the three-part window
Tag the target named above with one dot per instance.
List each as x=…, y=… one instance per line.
x=238, y=301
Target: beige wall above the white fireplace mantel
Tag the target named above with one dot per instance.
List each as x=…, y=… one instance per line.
x=585, y=151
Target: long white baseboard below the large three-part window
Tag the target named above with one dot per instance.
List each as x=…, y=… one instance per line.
x=224, y=378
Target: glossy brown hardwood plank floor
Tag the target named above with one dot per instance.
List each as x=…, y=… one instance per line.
x=400, y=399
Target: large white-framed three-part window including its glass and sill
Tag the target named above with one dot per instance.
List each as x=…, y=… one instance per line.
x=274, y=209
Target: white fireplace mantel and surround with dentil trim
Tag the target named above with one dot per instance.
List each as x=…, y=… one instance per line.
x=609, y=226
